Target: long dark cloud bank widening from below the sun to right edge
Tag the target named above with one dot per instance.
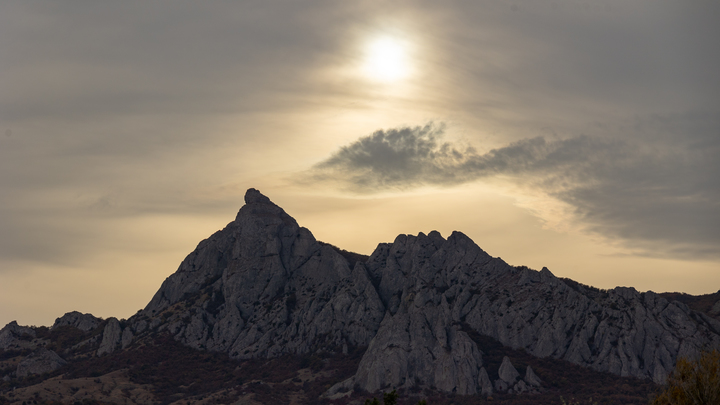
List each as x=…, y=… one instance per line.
x=654, y=191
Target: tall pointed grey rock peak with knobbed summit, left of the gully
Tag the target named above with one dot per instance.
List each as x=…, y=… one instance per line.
x=262, y=287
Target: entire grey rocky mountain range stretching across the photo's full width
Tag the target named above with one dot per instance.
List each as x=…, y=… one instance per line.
x=421, y=313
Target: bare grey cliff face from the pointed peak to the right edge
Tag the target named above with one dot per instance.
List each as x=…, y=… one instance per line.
x=264, y=286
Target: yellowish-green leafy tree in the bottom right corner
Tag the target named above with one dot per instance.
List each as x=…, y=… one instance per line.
x=693, y=382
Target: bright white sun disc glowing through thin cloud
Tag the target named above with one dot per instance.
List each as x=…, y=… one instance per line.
x=386, y=59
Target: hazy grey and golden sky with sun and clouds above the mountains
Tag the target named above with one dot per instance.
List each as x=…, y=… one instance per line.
x=582, y=136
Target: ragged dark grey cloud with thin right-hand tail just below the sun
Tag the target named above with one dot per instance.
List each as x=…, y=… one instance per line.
x=413, y=156
